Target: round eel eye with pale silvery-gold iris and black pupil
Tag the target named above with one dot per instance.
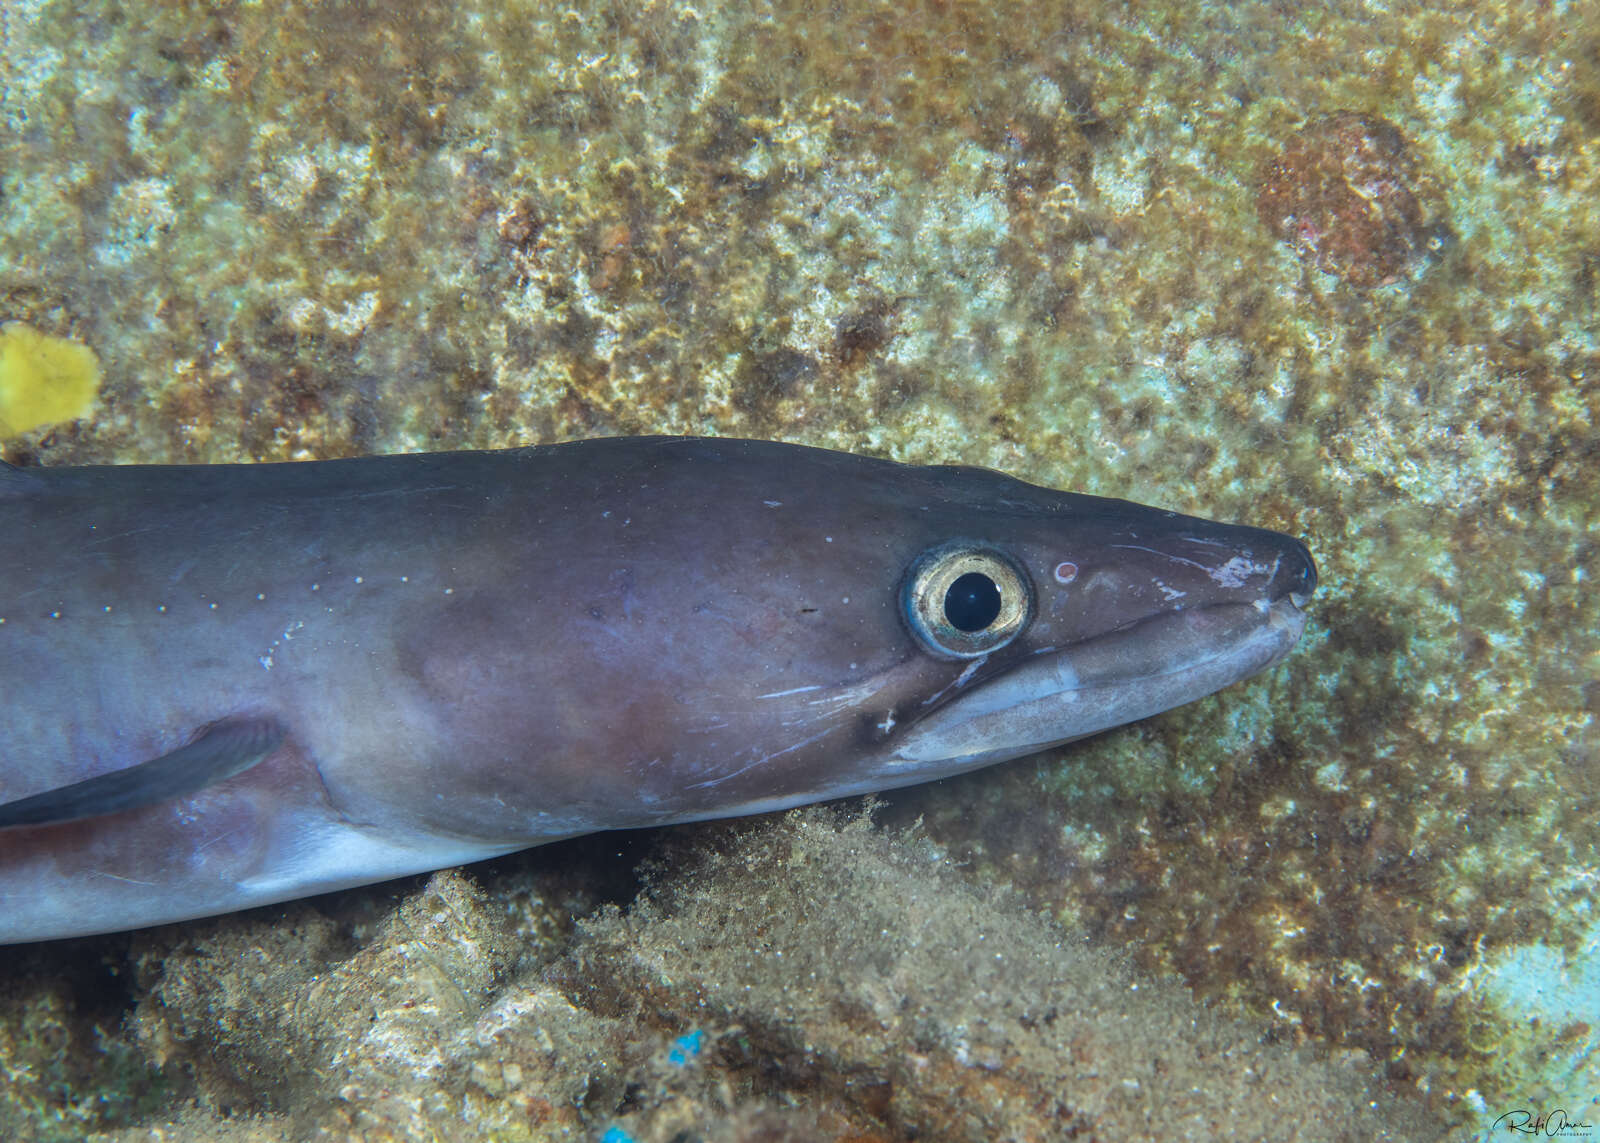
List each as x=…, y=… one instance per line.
x=964, y=601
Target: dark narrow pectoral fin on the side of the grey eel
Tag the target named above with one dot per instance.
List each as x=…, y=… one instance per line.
x=217, y=753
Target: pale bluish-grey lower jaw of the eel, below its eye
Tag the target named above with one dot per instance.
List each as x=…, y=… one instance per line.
x=1124, y=676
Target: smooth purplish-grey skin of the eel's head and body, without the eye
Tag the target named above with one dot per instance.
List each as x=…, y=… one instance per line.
x=380, y=667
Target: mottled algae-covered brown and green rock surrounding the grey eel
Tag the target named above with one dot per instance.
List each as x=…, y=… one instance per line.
x=1327, y=270
